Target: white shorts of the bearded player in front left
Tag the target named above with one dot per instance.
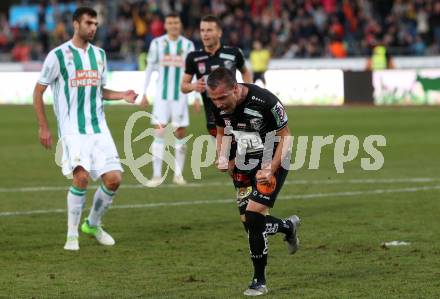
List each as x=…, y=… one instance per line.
x=96, y=153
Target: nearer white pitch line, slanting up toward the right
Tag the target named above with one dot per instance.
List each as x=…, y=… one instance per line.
x=215, y=201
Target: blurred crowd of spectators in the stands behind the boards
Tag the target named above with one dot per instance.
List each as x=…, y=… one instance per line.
x=288, y=28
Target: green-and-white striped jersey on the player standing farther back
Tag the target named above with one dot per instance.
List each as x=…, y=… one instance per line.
x=168, y=57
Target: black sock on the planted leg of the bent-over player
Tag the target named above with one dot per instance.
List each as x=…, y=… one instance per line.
x=256, y=224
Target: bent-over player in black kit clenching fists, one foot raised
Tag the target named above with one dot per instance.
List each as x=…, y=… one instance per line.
x=252, y=114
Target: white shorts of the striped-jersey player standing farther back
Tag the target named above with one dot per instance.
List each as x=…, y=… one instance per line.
x=177, y=111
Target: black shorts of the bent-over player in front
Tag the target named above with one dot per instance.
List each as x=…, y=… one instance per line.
x=247, y=189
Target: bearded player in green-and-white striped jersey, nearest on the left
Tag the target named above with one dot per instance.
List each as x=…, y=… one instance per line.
x=76, y=72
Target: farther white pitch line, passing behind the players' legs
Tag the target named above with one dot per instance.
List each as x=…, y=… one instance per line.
x=213, y=184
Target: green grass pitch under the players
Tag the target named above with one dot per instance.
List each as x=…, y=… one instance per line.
x=167, y=247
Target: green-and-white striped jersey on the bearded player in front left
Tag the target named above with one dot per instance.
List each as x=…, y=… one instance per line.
x=76, y=77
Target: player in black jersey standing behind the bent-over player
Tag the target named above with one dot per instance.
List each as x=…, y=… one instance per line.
x=202, y=62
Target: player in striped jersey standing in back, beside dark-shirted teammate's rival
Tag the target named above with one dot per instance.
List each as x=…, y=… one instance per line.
x=167, y=53
